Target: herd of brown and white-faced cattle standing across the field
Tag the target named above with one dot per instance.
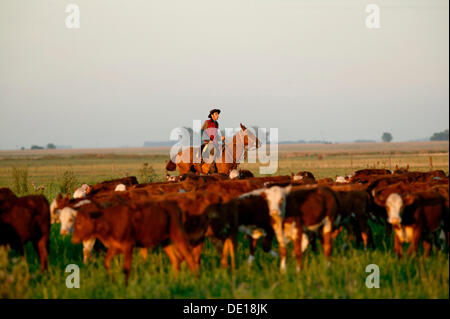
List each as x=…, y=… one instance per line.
x=181, y=213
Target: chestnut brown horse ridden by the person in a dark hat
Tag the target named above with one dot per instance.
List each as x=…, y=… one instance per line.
x=189, y=160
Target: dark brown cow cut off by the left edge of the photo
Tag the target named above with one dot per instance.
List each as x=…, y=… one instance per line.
x=24, y=219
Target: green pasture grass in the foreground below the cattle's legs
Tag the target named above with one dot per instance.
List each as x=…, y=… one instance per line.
x=343, y=277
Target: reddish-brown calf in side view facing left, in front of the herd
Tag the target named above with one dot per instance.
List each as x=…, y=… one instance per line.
x=123, y=227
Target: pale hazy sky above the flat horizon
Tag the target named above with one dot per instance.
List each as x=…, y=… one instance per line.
x=135, y=70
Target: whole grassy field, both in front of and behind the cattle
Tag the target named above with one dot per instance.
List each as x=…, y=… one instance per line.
x=345, y=277
